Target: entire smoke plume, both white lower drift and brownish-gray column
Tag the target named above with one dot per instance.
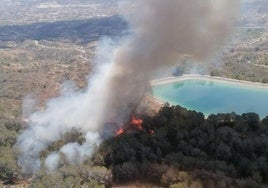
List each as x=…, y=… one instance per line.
x=161, y=33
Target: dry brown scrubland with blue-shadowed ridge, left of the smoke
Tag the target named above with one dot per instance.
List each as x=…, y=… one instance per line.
x=35, y=59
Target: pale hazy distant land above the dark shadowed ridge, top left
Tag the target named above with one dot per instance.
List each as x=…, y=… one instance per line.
x=17, y=12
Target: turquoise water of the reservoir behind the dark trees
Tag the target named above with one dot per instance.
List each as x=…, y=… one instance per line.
x=212, y=97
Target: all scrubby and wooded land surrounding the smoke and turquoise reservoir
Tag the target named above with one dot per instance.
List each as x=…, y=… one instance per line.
x=45, y=43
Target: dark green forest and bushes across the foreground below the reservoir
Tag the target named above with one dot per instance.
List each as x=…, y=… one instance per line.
x=185, y=150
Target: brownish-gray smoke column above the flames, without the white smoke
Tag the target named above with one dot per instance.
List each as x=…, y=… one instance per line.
x=164, y=31
